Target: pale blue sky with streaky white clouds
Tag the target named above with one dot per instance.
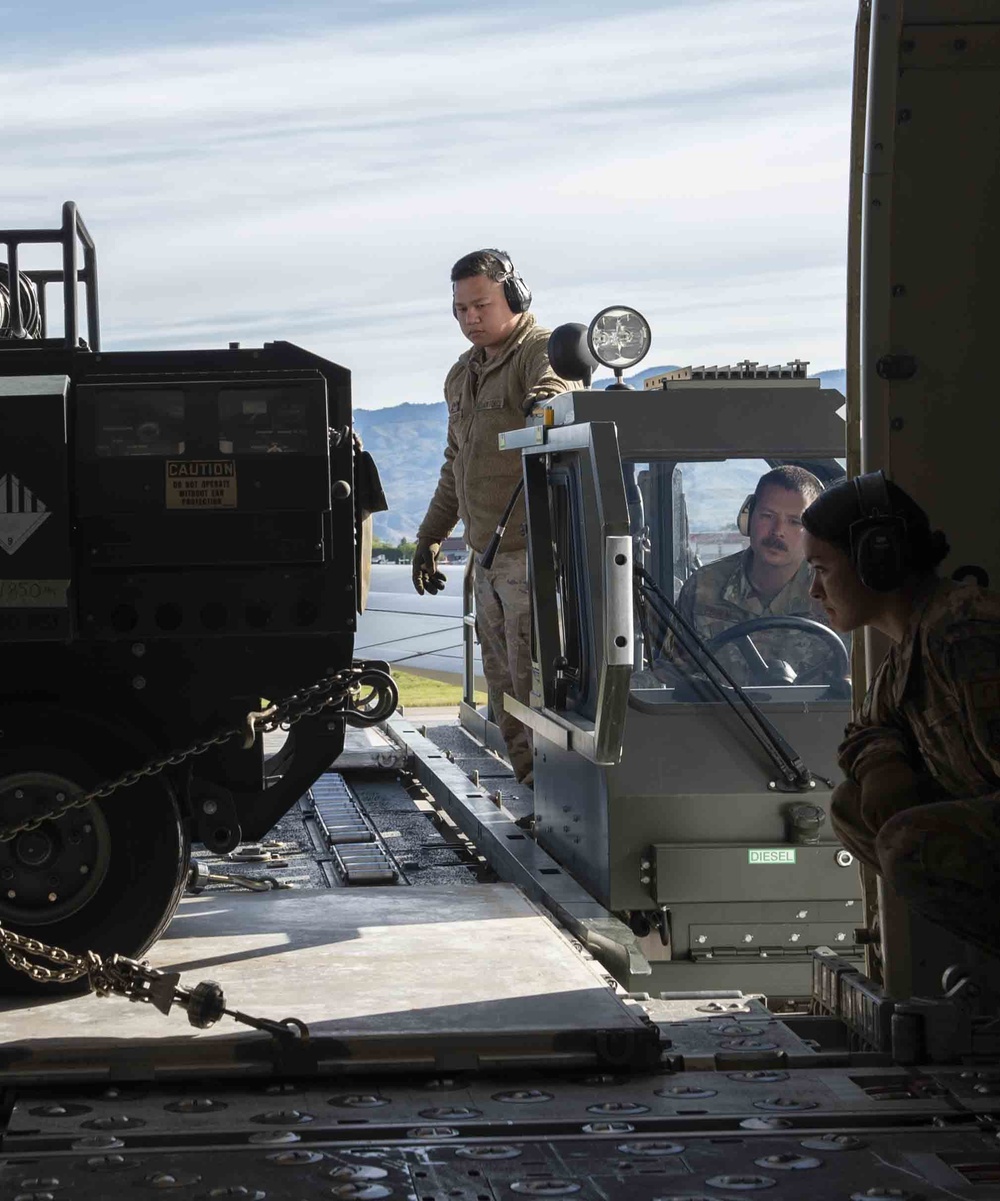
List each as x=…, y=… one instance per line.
x=312, y=171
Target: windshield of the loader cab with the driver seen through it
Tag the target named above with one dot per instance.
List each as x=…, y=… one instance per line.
x=738, y=575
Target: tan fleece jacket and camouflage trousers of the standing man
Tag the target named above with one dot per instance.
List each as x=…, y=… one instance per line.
x=486, y=398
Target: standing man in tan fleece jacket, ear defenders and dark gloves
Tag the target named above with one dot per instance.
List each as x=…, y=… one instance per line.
x=489, y=391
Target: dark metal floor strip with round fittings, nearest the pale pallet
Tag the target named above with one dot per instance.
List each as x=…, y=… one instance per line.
x=489, y=1107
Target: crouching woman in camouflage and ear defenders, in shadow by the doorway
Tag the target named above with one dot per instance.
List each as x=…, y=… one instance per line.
x=921, y=800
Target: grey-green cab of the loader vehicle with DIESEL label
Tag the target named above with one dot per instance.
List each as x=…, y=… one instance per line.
x=673, y=800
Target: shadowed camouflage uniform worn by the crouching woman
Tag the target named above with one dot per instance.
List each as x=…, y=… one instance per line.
x=935, y=708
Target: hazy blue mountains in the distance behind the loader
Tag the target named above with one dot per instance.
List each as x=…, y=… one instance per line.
x=408, y=443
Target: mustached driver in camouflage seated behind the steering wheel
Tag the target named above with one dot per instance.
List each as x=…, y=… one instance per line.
x=770, y=578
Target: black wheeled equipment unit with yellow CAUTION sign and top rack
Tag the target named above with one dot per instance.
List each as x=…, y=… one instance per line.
x=181, y=537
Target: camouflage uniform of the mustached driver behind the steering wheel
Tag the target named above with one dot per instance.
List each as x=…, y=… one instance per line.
x=720, y=596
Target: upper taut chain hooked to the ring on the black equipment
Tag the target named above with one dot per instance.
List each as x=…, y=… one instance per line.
x=283, y=715
